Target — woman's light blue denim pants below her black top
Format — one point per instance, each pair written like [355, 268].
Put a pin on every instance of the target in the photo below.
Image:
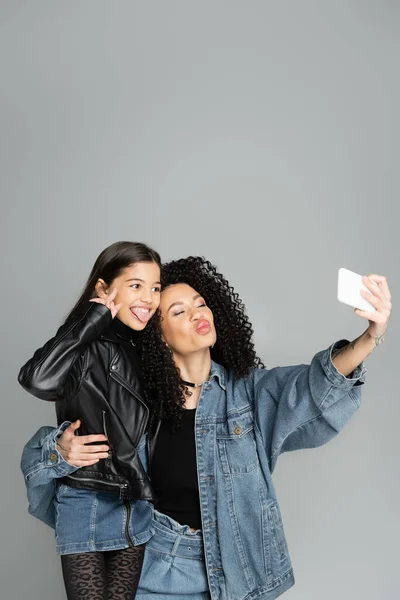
[174, 564]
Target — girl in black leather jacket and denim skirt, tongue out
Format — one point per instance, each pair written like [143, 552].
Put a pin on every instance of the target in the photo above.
[91, 369]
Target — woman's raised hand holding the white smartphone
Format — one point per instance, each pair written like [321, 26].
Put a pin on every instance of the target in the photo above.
[380, 297]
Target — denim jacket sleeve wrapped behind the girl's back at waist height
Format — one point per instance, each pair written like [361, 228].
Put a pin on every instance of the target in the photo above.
[41, 465]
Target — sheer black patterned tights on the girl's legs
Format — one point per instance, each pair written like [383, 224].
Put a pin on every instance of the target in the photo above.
[112, 575]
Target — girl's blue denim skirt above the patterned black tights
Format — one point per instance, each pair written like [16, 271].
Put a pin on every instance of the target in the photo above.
[91, 521]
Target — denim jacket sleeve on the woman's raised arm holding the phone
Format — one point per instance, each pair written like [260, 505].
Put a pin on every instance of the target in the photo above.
[304, 406]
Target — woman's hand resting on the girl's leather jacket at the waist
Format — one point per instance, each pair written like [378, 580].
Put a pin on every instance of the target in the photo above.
[74, 449]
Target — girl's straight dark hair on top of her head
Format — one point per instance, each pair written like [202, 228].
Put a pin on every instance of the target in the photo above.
[110, 264]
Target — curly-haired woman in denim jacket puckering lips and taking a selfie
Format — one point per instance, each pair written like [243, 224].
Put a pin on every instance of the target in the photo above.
[220, 422]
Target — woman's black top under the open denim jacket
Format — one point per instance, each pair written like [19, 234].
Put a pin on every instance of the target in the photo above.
[174, 472]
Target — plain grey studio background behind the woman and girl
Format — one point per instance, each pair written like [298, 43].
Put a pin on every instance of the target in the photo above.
[264, 135]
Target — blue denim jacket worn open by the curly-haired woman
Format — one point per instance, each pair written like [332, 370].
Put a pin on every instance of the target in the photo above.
[241, 428]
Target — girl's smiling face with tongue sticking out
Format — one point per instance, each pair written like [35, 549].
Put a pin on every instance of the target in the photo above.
[138, 290]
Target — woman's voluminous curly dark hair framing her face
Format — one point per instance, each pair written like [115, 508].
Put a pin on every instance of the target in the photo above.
[234, 348]
